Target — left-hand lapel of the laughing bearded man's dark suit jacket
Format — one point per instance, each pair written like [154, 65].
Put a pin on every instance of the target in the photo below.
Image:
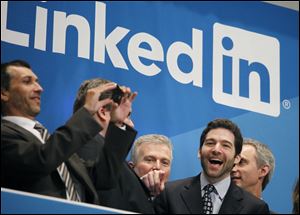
[191, 196]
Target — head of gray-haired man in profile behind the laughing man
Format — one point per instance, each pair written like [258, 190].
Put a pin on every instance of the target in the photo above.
[255, 168]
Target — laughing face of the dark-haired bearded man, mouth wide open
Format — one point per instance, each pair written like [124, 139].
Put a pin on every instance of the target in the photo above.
[217, 154]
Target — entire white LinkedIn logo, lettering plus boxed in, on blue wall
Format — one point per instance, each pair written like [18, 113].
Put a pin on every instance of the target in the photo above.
[246, 65]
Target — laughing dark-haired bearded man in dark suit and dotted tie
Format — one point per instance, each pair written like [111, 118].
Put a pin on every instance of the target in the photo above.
[212, 191]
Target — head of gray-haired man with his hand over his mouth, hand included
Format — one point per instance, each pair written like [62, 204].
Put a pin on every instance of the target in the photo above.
[151, 159]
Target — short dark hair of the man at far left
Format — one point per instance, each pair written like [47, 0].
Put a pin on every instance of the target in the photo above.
[6, 77]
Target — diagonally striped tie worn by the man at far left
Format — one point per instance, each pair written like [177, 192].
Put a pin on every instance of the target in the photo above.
[62, 169]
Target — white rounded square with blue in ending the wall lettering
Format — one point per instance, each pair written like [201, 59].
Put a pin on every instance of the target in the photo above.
[246, 70]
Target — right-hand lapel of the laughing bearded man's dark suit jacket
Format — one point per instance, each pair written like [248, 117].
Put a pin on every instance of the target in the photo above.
[232, 199]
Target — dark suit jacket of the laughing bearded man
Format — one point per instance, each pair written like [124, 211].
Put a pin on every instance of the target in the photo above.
[184, 197]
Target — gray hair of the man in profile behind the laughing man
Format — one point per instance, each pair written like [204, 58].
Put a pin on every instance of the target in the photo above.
[264, 157]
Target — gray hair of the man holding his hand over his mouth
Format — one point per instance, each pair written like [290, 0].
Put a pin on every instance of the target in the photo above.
[150, 138]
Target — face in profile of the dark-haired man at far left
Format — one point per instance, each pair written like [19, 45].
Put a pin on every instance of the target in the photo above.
[23, 98]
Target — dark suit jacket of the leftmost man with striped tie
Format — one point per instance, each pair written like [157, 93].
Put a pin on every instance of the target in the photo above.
[29, 165]
